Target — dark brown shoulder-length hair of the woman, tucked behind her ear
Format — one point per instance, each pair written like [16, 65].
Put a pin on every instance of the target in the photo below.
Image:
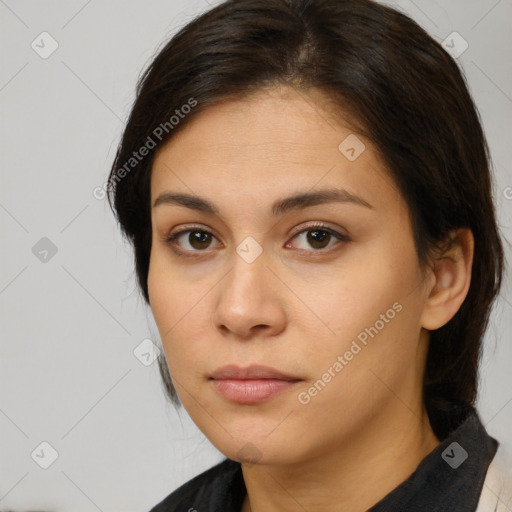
[404, 92]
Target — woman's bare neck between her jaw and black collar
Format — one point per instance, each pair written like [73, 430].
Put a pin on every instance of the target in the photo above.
[351, 478]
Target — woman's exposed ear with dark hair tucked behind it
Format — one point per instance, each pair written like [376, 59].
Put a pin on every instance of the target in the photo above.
[451, 279]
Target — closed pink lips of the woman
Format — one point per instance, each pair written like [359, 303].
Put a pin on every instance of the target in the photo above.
[251, 385]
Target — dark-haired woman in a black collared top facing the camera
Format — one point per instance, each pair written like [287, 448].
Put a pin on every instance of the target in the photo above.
[306, 186]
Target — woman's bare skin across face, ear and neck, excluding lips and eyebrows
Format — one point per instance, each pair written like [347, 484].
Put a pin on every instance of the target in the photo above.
[298, 305]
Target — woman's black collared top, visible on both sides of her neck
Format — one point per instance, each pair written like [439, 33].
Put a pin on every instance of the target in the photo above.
[448, 479]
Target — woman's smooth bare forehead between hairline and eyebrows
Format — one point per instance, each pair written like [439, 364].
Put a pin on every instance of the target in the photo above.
[266, 146]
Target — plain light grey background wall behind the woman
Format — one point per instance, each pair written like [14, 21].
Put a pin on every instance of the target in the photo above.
[70, 324]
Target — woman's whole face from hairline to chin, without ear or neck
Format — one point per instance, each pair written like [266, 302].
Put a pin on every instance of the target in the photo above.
[325, 292]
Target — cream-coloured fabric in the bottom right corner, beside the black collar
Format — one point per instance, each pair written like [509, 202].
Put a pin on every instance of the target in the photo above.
[496, 495]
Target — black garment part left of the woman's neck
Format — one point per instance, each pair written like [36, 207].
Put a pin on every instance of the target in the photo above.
[219, 488]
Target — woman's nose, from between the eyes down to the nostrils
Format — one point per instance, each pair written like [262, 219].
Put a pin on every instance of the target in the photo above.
[250, 300]
